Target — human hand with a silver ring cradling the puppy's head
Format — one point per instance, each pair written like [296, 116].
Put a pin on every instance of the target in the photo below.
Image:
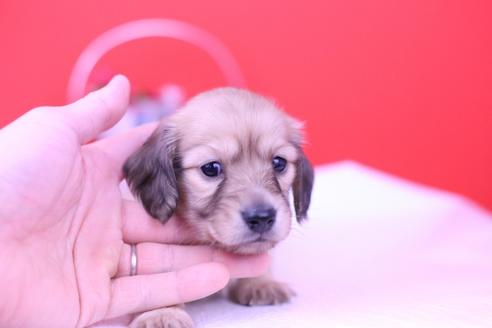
[65, 230]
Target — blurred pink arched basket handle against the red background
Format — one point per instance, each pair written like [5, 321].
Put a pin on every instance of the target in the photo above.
[146, 28]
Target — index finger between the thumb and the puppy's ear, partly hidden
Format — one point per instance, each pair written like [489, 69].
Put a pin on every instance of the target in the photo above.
[121, 146]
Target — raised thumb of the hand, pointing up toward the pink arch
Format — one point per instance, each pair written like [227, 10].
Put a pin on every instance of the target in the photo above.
[99, 110]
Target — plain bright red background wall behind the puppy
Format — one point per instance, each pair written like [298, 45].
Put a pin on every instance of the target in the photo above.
[404, 86]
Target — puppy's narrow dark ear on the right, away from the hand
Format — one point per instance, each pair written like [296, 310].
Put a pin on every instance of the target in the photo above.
[302, 187]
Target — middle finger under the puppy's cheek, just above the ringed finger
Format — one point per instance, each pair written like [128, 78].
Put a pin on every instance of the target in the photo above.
[138, 226]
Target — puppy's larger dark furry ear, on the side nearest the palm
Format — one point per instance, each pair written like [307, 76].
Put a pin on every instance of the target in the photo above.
[151, 173]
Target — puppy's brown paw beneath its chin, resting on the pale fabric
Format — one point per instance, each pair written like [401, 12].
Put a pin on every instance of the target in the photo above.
[260, 291]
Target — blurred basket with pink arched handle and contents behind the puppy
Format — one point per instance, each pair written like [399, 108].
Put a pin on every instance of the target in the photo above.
[147, 106]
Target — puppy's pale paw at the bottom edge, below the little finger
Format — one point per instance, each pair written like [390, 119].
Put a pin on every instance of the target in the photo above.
[169, 317]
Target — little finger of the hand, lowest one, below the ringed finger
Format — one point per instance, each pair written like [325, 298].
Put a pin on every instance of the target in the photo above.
[143, 293]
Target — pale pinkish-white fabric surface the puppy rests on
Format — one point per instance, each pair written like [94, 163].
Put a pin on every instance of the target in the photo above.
[377, 251]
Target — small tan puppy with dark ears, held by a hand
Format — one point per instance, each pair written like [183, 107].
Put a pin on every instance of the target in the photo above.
[224, 164]
